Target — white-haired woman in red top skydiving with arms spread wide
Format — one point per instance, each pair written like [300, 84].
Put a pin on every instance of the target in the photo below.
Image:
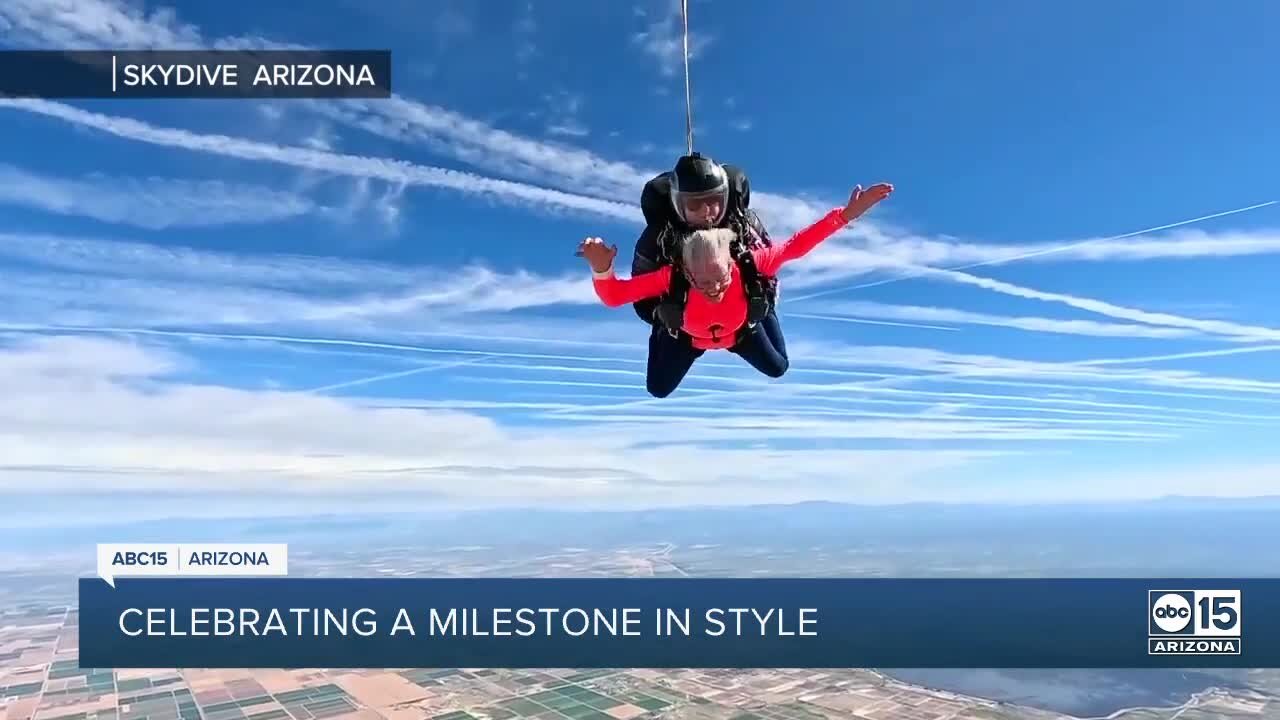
[716, 313]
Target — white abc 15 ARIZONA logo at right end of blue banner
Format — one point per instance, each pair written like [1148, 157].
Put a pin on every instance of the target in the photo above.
[1194, 623]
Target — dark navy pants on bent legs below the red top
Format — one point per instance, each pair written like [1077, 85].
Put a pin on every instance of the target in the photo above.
[671, 358]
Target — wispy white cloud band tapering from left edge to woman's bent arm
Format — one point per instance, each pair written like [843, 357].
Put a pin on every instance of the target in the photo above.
[89, 281]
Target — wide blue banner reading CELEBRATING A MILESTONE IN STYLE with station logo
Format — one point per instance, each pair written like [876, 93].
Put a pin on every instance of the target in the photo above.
[679, 623]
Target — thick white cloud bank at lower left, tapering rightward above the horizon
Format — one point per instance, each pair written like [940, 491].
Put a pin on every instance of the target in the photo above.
[85, 414]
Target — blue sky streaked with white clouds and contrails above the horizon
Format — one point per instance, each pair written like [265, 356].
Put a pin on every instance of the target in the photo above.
[341, 299]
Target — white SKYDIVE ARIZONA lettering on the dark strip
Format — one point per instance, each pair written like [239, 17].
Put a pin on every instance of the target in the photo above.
[227, 75]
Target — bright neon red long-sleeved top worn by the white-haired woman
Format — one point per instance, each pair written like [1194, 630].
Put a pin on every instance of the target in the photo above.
[730, 313]
